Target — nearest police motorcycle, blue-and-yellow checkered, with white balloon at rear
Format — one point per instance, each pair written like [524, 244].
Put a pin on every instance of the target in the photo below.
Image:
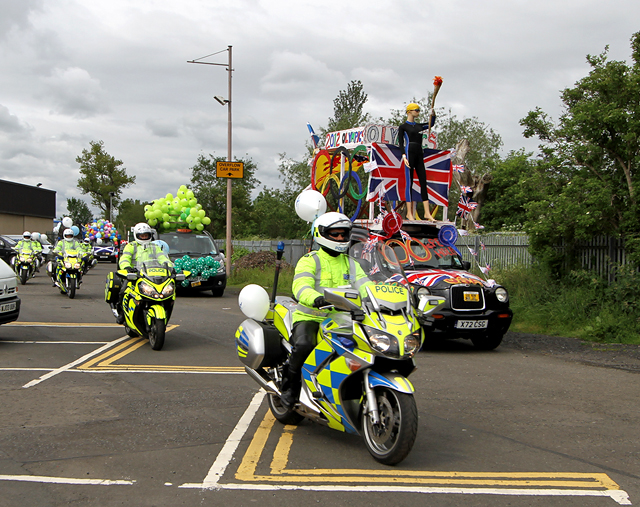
[355, 380]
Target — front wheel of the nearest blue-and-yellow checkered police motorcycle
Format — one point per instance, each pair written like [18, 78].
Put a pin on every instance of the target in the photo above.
[390, 441]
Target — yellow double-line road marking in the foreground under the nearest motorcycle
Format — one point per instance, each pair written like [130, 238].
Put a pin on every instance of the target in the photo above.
[279, 472]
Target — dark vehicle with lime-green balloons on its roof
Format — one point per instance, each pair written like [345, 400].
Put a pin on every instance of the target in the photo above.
[197, 245]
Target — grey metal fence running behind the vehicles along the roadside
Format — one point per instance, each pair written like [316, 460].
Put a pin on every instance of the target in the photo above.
[497, 249]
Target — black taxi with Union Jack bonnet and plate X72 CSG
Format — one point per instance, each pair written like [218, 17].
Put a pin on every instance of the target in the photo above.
[475, 309]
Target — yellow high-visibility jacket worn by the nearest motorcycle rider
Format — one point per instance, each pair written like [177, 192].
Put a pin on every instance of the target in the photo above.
[318, 270]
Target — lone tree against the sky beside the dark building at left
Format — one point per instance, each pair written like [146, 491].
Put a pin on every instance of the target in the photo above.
[101, 177]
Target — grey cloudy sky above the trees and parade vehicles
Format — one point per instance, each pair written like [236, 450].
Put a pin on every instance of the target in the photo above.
[73, 71]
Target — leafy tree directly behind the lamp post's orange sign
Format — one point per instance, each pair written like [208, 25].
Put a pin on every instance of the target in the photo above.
[211, 193]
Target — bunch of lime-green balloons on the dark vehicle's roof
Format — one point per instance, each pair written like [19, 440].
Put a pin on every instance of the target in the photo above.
[180, 212]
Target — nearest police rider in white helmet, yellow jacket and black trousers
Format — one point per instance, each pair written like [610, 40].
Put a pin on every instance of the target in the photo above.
[328, 267]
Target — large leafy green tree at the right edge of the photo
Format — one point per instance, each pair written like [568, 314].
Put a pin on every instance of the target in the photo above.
[594, 152]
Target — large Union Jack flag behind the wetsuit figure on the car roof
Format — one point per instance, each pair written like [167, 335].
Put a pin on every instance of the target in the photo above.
[389, 175]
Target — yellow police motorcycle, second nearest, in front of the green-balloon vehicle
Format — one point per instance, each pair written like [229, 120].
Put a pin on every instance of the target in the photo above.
[148, 299]
